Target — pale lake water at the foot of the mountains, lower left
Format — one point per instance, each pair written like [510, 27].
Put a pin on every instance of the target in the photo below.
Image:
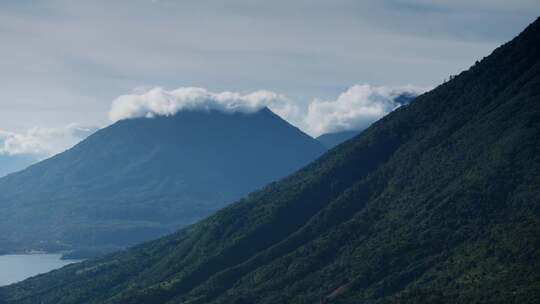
[17, 267]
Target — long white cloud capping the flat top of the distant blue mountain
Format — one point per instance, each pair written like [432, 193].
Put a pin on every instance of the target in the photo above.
[158, 101]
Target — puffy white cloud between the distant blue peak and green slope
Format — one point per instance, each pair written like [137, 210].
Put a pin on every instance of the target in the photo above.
[355, 109]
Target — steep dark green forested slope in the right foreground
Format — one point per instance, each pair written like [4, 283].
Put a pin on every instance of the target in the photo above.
[438, 202]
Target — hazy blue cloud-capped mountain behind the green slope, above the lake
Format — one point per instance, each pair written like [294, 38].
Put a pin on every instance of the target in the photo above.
[141, 178]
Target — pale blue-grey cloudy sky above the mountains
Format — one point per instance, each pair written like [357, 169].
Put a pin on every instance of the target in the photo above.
[68, 67]
